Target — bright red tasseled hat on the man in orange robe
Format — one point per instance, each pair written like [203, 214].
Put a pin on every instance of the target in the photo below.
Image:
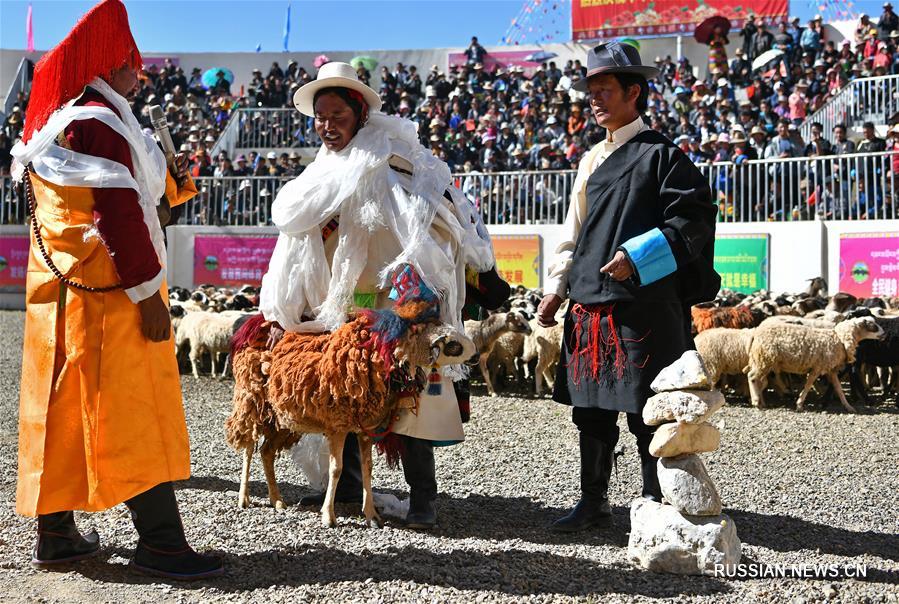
[100, 43]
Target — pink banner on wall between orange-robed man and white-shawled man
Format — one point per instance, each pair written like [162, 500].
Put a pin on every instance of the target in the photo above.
[231, 259]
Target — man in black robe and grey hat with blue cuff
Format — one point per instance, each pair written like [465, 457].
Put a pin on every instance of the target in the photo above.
[637, 254]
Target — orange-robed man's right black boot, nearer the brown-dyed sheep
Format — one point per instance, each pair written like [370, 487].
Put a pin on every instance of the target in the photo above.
[162, 549]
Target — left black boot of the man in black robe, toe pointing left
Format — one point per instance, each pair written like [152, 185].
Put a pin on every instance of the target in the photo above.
[596, 469]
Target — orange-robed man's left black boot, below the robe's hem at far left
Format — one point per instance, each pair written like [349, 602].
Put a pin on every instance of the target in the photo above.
[59, 542]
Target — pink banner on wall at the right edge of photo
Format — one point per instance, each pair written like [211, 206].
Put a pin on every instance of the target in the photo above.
[869, 264]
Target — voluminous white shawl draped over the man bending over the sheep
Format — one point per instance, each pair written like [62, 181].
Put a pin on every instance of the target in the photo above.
[358, 184]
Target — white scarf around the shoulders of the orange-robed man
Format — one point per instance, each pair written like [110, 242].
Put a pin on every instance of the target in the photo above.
[68, 168]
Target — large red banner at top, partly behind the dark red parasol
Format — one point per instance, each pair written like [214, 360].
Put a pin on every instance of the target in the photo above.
[595, 19]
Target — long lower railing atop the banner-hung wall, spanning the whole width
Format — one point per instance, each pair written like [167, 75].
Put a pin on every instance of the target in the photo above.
[835, 187]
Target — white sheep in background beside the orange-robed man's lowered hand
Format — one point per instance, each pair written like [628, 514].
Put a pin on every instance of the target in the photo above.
[207, 332]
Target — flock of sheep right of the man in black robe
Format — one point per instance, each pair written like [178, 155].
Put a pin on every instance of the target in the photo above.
[745, 340]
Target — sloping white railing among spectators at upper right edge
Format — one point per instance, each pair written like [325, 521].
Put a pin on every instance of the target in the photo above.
[872, 99]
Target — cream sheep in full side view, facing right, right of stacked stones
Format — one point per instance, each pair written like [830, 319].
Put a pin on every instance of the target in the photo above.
[793, 348]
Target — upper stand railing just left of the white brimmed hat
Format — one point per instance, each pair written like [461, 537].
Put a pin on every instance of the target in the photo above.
[264, 128]
